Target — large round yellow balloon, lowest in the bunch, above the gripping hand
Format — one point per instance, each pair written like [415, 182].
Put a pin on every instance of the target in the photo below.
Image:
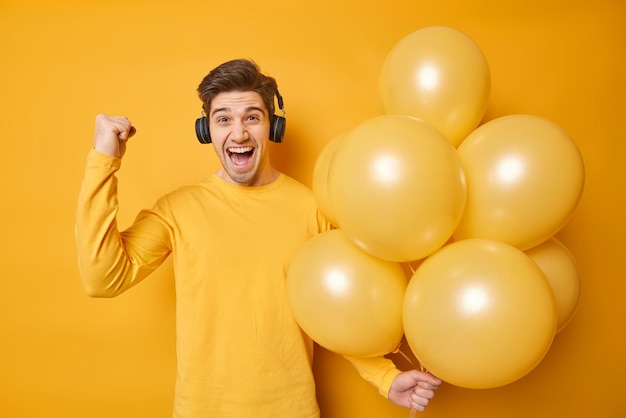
[479, 314]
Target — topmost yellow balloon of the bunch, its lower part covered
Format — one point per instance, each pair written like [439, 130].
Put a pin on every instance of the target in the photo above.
[440, 75]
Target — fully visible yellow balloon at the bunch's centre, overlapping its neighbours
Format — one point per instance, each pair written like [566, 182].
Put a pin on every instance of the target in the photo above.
[397, 187]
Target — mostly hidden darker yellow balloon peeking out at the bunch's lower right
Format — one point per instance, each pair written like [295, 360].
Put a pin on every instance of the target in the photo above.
[561, 269]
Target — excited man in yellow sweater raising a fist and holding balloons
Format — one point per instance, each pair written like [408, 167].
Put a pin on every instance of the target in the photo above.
[231, 236]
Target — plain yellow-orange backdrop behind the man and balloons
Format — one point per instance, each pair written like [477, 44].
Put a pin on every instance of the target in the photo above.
[65, 355]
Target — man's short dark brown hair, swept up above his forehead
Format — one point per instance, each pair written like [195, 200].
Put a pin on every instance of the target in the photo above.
[237, 75]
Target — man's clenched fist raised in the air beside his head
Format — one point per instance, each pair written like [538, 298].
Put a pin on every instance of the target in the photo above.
[111, 135]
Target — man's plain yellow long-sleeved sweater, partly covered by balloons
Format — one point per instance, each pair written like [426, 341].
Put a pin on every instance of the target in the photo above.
[239, 350]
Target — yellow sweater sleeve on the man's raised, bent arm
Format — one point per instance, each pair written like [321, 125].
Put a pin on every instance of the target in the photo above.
[111, 262]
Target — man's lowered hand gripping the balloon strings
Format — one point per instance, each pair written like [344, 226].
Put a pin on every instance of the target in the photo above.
[413, 389]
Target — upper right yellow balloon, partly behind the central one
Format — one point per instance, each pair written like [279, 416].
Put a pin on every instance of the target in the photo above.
[525, 177]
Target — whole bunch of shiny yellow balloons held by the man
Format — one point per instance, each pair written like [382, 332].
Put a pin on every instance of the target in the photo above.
[477, 205]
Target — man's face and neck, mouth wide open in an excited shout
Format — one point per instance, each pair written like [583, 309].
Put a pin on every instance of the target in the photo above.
[239, 125]
